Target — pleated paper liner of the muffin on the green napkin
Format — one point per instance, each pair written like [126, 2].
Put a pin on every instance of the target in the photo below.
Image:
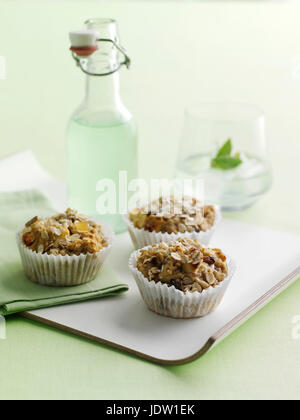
[63, 271]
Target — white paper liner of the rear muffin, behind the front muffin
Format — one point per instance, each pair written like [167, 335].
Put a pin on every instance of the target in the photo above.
[142, 238]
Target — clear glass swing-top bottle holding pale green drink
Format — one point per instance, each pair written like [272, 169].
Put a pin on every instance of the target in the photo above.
[101, 134]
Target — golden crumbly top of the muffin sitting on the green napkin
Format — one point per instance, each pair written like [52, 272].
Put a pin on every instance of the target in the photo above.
[67, 233]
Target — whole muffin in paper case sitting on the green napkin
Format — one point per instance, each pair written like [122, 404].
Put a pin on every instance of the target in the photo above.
[67, 249]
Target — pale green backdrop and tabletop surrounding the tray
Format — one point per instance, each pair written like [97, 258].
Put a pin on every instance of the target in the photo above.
[219, 51]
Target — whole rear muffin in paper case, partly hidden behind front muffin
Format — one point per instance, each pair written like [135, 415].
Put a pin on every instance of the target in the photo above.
[166, 220]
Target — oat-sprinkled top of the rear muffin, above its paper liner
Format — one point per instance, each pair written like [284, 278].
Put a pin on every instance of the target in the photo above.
[174, 216]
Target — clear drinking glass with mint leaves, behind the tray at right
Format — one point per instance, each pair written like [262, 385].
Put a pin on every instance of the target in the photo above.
[207, 127]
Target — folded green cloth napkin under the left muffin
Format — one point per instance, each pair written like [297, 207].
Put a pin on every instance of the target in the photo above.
[17, 293]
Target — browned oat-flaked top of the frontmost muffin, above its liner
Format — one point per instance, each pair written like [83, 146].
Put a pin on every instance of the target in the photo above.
[184, 264]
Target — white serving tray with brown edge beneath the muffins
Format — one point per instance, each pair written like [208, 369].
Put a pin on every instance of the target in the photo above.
[268, 261]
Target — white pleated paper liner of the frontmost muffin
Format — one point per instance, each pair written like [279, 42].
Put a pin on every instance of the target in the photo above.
[171, 302]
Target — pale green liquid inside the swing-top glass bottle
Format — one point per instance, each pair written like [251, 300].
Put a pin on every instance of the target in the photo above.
[96, 152]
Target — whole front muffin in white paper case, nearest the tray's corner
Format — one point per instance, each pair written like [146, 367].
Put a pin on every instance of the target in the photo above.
[181, 279]
